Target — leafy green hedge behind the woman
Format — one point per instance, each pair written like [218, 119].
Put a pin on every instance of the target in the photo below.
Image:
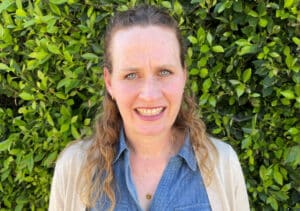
[243, 58]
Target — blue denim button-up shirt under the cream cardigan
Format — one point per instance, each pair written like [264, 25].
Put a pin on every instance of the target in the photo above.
[180, 188]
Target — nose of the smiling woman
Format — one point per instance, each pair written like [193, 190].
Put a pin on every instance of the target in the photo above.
[150, 90]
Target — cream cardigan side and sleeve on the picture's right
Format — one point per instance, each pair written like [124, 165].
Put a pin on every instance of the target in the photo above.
[227, 191]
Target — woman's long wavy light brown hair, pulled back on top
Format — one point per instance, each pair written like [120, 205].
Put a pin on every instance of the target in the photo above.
[97, 176]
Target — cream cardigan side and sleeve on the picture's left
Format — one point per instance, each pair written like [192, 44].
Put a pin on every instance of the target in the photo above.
[64, 195]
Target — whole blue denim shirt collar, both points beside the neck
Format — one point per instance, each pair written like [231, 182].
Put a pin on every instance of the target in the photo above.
[186, 151]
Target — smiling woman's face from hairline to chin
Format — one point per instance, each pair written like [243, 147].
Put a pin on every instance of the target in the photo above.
[147, 79]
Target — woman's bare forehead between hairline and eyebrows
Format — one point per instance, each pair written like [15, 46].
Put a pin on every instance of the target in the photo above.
[139, 42]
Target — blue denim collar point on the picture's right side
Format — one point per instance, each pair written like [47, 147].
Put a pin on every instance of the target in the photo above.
[187, 153]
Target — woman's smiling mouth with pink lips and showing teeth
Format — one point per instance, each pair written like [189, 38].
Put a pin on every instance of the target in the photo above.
[150, 113]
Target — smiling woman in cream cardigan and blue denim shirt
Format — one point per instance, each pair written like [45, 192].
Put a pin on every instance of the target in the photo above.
[149, 150]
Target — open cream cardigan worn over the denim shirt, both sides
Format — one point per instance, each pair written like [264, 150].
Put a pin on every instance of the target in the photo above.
[227, 190]
